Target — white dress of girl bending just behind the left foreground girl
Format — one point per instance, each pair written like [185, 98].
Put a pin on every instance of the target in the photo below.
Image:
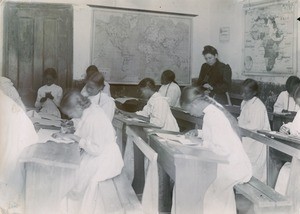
[106, 102]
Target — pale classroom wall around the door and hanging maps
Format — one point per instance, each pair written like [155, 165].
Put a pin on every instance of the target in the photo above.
[211, 15]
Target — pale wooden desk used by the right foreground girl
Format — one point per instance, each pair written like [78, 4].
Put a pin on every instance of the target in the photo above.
[193, 170]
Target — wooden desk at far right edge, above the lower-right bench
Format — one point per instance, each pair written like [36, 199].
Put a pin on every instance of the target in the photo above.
[287, 147]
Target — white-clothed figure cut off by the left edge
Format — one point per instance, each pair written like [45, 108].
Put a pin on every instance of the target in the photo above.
[16, 133]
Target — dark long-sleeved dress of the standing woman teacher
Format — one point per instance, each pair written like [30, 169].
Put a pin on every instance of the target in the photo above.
[219, 77]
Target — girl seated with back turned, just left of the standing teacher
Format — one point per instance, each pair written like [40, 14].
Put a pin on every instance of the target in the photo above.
[170, 88]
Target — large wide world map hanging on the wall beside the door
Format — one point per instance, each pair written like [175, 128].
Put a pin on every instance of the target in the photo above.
[131, 45]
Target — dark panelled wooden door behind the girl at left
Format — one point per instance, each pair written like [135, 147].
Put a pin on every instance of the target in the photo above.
[36, 37]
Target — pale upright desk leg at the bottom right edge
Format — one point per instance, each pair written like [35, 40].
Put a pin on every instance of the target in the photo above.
[293, 190]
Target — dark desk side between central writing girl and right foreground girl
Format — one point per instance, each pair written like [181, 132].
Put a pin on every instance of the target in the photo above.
[185, 120]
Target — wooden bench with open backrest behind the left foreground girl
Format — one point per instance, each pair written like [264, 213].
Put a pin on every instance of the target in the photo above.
[117, 195]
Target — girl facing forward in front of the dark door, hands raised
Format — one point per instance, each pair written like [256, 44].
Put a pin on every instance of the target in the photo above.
[49, 96]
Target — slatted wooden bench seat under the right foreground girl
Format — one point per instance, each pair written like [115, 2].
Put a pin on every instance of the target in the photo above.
[265, 199]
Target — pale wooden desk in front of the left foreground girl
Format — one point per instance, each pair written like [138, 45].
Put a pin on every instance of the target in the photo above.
[50, 174]
